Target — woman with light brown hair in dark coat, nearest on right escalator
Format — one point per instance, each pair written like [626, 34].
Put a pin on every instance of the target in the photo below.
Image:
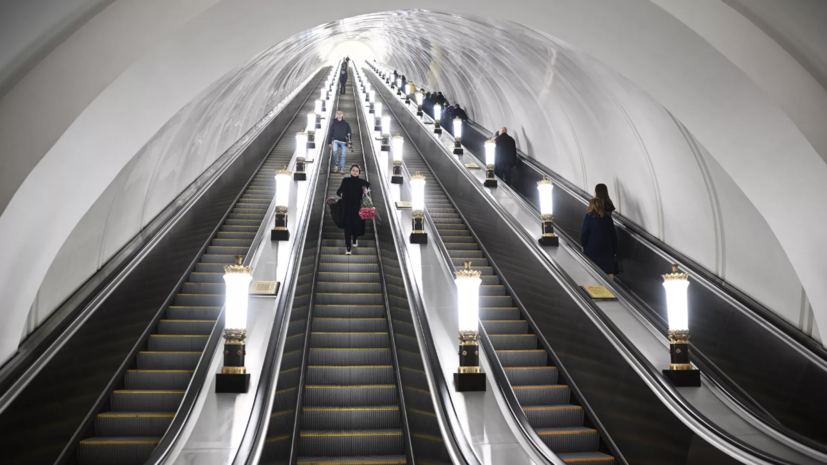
[598, 237]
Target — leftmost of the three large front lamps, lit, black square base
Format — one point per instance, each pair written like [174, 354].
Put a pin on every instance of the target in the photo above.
[234, 377]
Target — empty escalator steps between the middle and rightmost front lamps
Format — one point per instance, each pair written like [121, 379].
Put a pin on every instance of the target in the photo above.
[548, 404]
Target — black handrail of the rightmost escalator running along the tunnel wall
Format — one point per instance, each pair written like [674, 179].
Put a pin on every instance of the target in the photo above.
[810, 348]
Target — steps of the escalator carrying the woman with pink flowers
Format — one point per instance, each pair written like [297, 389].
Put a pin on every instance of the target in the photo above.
[342, 384]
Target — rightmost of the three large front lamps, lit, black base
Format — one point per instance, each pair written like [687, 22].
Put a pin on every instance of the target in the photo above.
[680, 371]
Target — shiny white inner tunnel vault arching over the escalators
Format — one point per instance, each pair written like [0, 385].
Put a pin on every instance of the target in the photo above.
[566, 108]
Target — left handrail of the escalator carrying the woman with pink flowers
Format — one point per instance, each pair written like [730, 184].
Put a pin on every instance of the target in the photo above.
[252, 441]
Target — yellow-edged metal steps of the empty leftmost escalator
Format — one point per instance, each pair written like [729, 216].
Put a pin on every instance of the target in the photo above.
[139, 414]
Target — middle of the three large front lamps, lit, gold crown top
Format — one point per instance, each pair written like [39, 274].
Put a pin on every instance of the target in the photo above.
[468, 376]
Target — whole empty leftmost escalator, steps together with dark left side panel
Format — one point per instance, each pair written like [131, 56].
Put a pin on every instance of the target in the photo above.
[142, 398]
